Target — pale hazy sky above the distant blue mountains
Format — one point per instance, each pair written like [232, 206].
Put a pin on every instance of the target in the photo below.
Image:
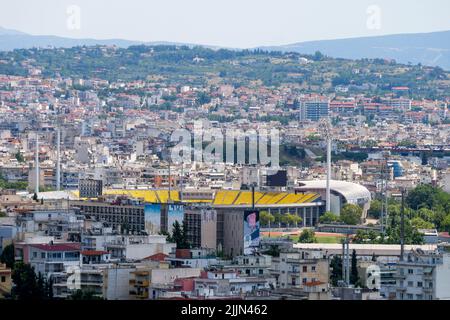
[230, 23]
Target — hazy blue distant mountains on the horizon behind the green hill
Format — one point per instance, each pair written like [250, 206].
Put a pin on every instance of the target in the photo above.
[426, 48]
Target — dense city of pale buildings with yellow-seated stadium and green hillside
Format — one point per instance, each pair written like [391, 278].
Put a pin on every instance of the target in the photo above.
[353, 204]
